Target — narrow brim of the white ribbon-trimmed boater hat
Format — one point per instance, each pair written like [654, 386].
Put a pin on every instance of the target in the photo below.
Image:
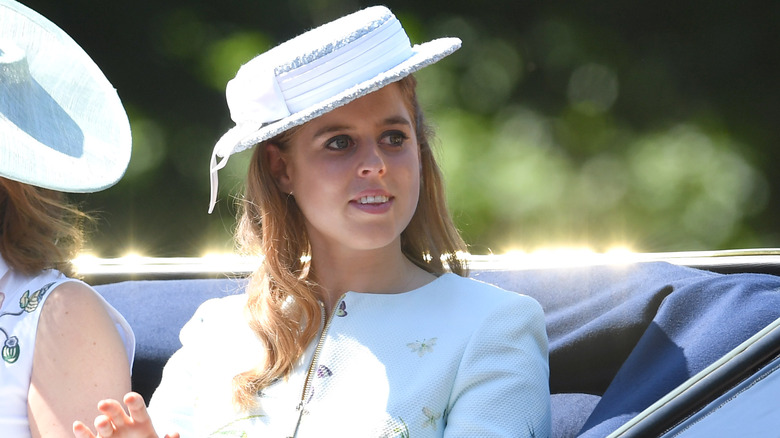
[422, 55]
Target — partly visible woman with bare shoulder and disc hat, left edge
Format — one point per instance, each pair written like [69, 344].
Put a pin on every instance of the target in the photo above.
[62, 129]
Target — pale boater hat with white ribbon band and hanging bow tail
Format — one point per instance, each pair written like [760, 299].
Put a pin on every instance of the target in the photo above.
[315, 72]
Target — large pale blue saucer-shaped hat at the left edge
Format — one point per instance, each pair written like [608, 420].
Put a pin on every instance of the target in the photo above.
[62, 125]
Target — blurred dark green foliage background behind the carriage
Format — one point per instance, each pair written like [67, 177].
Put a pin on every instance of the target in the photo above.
[650, 125]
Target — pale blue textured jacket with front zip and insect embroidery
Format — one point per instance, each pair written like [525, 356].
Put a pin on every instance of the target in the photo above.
[455, 358]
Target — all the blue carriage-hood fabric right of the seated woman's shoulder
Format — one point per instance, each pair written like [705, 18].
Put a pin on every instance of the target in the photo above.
[632, 333]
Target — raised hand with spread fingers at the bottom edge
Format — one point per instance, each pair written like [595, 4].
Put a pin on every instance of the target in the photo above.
[114, 422]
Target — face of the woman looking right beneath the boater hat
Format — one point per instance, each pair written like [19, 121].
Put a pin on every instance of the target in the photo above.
[354, 172]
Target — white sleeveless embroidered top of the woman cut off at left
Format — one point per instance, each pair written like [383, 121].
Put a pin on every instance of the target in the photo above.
[21, 302]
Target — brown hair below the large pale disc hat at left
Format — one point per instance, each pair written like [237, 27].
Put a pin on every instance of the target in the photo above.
[39, 228]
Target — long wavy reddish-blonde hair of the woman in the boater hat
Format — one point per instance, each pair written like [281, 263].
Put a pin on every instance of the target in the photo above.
[282, 296]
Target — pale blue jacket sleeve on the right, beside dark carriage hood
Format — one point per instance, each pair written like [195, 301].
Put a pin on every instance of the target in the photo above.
[502, 385]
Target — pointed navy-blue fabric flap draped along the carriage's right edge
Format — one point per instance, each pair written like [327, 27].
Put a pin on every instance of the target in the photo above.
[696, 324]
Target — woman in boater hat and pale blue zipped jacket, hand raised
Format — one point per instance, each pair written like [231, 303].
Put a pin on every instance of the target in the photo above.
[358, 321]
